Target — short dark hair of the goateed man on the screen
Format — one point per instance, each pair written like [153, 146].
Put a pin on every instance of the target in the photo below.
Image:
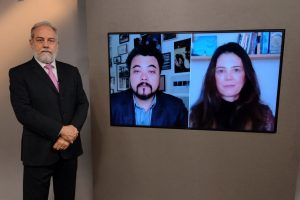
[145, 50]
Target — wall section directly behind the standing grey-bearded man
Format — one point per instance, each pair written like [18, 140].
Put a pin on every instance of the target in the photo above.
[16, 19]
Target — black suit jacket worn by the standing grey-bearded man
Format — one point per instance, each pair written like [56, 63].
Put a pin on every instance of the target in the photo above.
[43, 111]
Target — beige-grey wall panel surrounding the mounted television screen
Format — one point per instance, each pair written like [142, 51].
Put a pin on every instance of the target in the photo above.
[147, 164]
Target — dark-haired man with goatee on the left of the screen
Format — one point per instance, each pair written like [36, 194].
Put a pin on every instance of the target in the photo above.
[143, 104]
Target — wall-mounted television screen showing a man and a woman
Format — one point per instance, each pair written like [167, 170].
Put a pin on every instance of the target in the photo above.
[206, 80]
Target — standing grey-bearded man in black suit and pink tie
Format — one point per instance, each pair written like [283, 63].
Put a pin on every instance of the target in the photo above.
[49, 101]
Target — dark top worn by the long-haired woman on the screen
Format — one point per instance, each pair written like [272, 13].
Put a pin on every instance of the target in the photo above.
[233, 116]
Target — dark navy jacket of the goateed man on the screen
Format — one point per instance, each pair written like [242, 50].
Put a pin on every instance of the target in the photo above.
[168, 112]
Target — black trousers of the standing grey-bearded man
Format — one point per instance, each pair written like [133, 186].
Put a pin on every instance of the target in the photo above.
[36, 180]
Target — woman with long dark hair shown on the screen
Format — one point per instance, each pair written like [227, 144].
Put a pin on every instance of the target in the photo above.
[230, 97]
